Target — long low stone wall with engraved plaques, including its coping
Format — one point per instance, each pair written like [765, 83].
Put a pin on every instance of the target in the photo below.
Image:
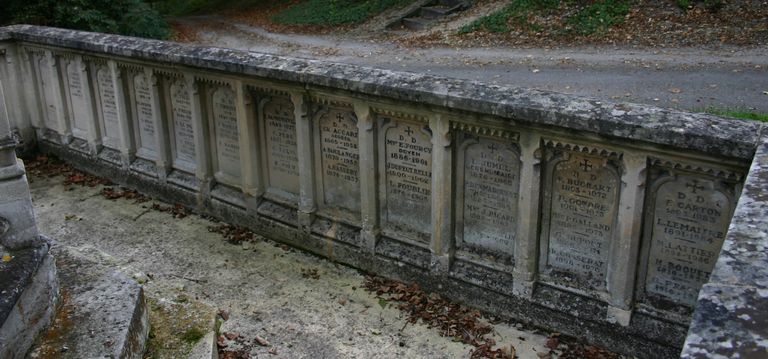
[599, 220]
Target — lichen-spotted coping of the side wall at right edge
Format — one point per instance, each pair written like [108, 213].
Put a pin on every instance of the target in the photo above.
[731, 319]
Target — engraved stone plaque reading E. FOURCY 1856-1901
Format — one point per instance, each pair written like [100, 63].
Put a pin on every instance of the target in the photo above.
[408, 173]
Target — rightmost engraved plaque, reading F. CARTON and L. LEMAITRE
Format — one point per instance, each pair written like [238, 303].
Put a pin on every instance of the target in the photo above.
[690, 220]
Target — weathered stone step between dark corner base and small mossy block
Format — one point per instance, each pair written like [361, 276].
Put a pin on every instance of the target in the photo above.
[102, 313]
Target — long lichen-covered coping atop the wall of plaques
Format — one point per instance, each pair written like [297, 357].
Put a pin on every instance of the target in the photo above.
[697, 132]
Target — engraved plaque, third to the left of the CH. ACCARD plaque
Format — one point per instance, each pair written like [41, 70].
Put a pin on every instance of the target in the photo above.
[183, 128]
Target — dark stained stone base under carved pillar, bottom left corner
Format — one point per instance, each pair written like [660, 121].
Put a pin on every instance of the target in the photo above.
[29, 294]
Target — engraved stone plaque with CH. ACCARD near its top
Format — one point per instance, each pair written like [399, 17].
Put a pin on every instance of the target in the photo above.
[340, 156]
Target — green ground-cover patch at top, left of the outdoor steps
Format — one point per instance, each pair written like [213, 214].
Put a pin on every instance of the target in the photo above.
[334, 12]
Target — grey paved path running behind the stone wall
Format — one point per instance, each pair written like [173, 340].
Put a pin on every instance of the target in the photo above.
[688, 79]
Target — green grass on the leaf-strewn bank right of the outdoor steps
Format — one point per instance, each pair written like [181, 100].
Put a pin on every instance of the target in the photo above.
[588, 20]
